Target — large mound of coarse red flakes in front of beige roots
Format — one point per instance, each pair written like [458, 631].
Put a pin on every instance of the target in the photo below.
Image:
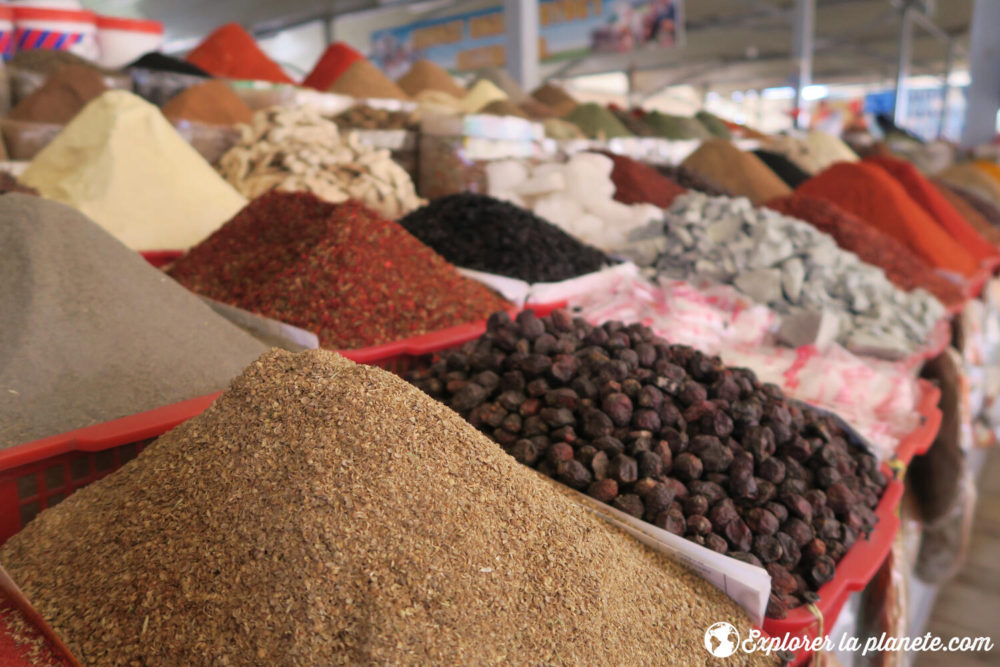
[338, 270]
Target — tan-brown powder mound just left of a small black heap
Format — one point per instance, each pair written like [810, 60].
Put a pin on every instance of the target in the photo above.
[742, 173]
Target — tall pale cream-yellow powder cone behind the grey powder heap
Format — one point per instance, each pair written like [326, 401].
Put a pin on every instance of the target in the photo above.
[123, 165]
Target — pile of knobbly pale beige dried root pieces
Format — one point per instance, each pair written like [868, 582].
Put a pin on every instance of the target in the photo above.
[299, 150]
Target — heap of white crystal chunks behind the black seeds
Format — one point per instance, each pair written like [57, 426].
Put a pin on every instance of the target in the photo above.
[578, 196]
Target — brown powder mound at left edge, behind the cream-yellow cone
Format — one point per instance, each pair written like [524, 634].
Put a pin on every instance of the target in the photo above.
[61, 97]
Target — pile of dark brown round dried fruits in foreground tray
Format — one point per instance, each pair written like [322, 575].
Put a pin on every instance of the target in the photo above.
[672, 436]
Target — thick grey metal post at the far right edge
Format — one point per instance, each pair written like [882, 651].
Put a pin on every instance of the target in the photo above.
[984, 69]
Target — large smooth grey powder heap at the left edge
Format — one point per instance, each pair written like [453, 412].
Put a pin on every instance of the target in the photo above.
[91, 332]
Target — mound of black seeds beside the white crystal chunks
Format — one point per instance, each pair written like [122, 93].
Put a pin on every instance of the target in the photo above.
[482, 233]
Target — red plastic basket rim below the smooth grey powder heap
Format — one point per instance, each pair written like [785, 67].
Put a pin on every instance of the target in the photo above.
[99, 437]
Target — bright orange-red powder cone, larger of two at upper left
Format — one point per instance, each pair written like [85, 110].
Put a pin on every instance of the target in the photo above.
[231, 52]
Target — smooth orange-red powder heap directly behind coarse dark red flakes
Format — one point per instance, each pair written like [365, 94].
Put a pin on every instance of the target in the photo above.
[877, 198]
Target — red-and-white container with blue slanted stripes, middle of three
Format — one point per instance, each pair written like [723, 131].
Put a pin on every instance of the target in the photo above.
[56, 29]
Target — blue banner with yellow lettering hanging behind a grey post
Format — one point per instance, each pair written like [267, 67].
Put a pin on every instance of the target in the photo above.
[568, 29]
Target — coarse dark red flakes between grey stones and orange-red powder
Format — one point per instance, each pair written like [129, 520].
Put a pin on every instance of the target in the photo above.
[902, 266]
